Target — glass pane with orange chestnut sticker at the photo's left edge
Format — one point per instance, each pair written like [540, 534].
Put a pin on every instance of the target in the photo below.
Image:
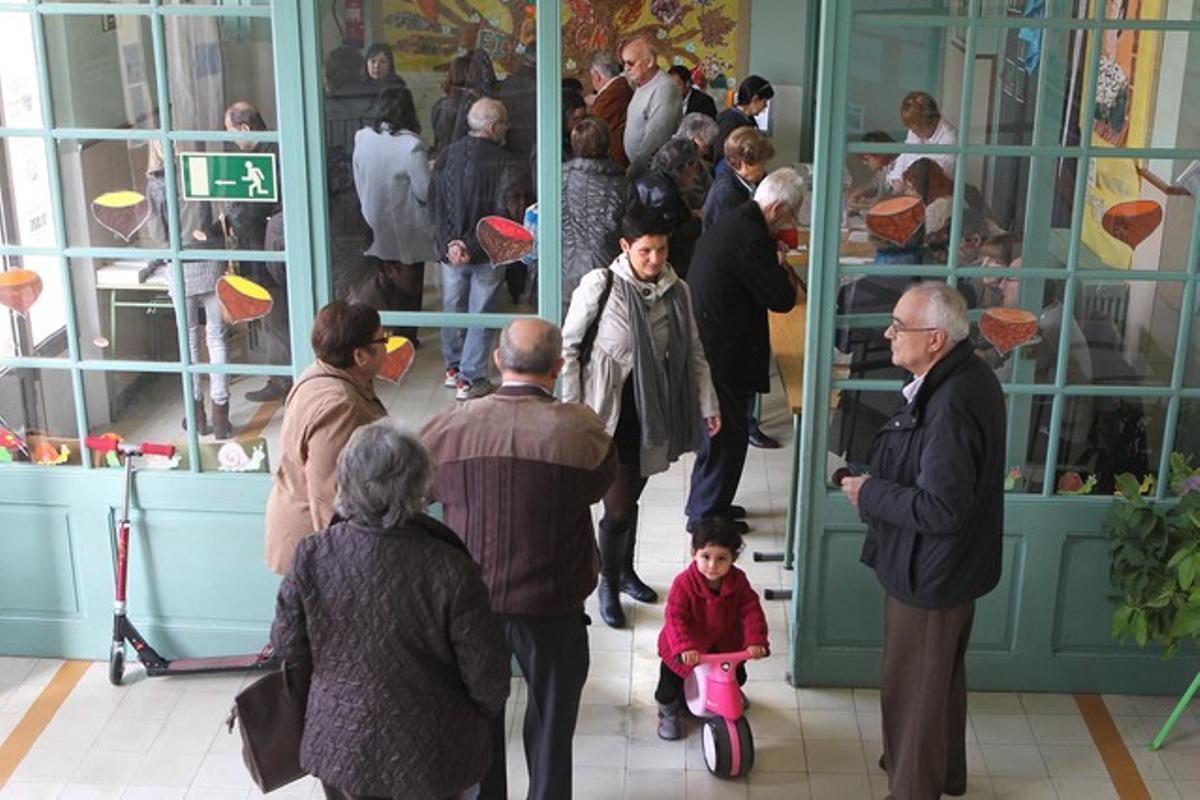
[34, 316]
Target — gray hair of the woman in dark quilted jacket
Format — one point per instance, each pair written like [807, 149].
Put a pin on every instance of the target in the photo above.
[385, 476]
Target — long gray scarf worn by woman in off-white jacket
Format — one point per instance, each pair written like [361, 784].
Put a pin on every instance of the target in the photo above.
[664, 389]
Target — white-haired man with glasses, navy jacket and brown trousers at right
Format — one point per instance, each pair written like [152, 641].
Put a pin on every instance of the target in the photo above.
[934, 507]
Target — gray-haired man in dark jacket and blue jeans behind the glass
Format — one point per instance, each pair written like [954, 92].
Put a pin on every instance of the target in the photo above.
[472, 179]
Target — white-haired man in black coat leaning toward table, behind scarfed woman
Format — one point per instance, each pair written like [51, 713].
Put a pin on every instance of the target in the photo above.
[737, 275]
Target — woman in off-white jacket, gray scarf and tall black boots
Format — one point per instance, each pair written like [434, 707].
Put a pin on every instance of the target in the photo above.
[646, 376]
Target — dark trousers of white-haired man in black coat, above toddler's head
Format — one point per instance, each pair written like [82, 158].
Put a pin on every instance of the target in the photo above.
[718, 470]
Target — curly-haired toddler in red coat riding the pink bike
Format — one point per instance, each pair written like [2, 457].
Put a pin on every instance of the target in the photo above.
[712, 609]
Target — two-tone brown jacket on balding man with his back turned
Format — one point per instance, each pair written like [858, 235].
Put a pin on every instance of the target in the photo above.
[517, 473]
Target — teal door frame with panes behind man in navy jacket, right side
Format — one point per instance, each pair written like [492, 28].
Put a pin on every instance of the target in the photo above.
[1047, 627]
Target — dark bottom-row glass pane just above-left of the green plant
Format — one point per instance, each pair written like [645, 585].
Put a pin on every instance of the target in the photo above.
[1103, 437]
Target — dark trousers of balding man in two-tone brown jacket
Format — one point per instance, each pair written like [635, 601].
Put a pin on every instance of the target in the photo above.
[554, 658]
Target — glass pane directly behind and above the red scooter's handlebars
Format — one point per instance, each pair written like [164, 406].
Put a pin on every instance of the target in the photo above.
[139, 407]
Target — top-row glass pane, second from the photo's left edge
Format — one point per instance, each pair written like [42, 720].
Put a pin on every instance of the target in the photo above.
[103, 71]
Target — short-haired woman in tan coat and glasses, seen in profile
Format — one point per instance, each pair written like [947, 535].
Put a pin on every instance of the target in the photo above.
[333, 399]
